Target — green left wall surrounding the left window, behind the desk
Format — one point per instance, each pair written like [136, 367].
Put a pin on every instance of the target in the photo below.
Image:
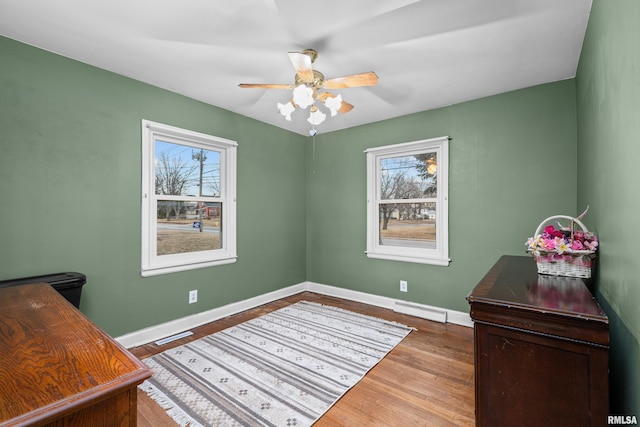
[70, 185]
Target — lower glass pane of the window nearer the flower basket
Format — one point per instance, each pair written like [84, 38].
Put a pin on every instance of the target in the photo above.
[408, 224]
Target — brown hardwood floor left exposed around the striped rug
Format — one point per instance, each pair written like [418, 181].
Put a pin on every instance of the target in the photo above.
[427, 380]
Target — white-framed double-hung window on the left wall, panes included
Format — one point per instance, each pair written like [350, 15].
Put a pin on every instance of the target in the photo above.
[188, 199]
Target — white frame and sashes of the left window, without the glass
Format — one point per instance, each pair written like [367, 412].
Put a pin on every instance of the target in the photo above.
[152, 264]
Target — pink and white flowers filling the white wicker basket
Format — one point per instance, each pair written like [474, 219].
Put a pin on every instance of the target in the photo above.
[562, 241]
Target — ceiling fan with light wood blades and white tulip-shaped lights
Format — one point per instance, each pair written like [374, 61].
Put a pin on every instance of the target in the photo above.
[310, 86]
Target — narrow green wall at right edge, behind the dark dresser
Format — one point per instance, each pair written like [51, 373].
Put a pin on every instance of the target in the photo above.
[608, 105]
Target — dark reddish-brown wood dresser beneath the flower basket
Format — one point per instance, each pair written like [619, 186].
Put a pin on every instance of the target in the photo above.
[541, 349]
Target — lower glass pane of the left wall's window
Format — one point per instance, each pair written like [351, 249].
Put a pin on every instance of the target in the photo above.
[188, 227]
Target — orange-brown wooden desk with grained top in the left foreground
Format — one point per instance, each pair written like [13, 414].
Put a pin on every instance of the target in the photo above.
[59, 369]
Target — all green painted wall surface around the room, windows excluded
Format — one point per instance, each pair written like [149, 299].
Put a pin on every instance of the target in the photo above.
[70, 186]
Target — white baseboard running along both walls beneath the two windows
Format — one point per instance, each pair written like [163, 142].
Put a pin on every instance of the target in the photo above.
[156, 332]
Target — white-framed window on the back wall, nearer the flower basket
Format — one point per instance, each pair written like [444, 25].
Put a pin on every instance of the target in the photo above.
[407, 202]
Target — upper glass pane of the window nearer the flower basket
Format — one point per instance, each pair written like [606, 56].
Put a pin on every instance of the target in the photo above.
[408, 177]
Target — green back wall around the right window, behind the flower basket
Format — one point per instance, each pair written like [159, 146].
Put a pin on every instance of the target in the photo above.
[512, 164]
